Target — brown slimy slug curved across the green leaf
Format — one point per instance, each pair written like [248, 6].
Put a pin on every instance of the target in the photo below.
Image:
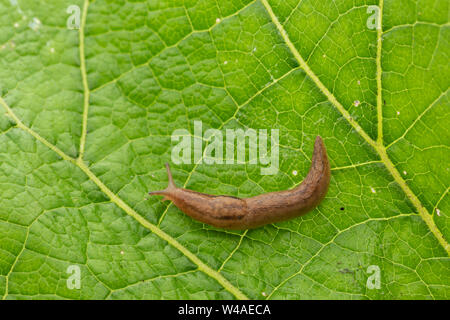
[245, 213]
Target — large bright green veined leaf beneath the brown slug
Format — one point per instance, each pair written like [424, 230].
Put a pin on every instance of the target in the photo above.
[85, 128]
